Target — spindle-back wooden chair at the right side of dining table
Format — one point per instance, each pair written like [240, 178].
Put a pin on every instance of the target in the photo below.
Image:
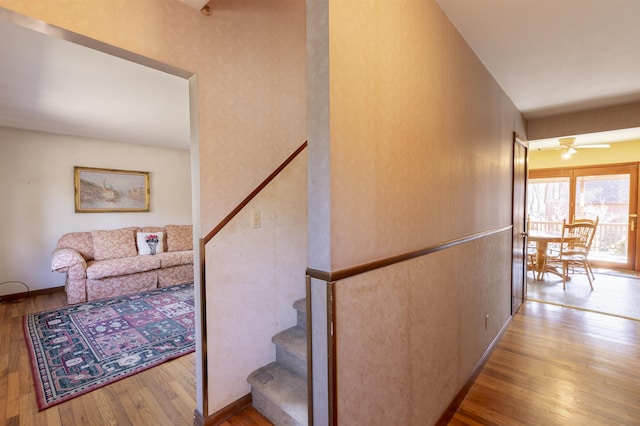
[574, 248]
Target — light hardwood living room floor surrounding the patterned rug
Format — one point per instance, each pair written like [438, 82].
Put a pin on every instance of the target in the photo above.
[164, 395]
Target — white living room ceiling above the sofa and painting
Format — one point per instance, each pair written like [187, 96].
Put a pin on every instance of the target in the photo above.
[52, 85]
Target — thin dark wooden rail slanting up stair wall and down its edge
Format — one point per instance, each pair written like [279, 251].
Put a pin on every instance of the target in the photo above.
[203, 242]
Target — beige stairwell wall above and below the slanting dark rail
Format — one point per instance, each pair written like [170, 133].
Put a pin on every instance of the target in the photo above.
[252, 116]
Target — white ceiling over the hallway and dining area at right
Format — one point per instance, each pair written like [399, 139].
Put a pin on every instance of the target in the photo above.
[557, 56]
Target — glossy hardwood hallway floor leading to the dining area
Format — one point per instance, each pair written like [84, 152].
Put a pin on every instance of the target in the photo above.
[559, 366]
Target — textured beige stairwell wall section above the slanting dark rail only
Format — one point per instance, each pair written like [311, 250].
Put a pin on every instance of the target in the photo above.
[252, 98]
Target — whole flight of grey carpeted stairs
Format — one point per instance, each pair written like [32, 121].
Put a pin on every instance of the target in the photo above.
[279, 389]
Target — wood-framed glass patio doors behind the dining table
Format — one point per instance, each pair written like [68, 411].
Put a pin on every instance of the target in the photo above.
[608, 192]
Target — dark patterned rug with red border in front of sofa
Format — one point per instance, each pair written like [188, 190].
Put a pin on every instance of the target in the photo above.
[82, 347]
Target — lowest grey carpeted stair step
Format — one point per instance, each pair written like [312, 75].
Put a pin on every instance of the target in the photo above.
[280, 395]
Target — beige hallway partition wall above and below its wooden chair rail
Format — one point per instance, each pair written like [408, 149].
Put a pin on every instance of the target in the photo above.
[415, 149]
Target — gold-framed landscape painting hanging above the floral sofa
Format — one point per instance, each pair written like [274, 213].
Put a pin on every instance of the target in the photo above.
[106, 190]
